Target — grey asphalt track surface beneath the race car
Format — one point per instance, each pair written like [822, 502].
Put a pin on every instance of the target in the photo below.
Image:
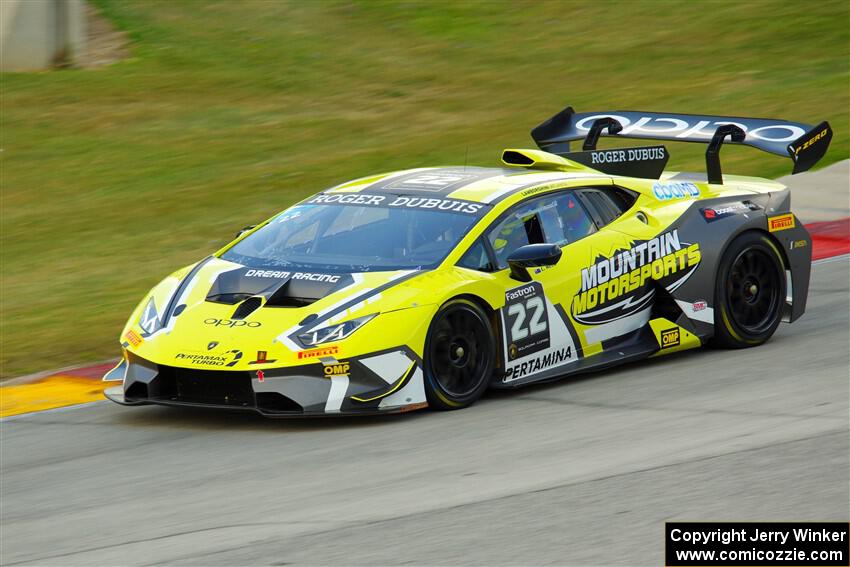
[582, 471]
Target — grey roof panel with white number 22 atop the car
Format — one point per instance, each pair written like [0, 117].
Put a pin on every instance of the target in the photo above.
[435, 182]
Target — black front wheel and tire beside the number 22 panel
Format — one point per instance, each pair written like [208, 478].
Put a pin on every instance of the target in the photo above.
[460, 350]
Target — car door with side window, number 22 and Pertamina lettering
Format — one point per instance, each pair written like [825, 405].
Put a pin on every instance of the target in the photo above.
[561, 315]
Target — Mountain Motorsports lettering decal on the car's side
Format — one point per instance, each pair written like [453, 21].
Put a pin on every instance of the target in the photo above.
[614, 287]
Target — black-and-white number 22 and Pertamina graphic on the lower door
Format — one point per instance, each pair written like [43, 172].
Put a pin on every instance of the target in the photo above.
[536, 338]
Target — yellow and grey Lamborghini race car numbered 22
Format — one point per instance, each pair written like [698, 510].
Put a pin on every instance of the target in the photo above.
[425, 287]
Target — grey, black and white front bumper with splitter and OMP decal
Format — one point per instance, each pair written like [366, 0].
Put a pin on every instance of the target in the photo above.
[385, 382]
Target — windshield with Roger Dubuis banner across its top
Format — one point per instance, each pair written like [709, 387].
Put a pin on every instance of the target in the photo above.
[363, 233]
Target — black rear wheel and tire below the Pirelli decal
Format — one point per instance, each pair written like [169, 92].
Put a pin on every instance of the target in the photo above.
[749, 292]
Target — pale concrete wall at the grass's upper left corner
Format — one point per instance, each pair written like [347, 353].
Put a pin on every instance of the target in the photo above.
[39, 34]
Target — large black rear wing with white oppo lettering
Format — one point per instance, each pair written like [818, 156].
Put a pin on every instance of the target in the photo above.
[804, 144]
